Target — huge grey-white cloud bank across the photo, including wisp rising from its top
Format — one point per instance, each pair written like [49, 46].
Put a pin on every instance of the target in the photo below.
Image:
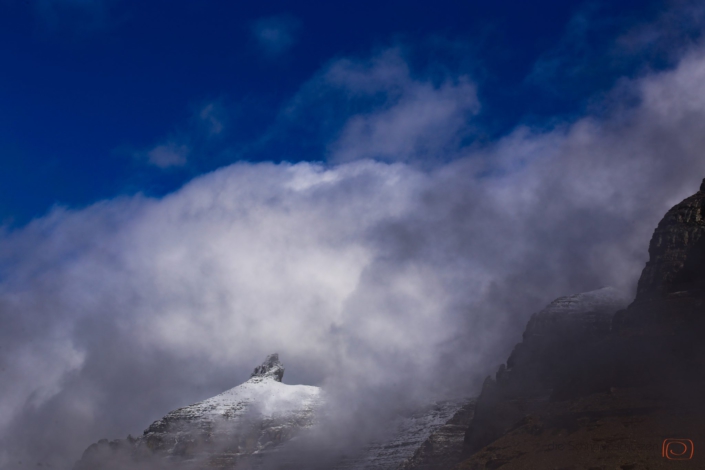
[384, 281]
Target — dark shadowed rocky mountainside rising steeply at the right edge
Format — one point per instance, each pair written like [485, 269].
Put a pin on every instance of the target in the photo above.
[613, 395]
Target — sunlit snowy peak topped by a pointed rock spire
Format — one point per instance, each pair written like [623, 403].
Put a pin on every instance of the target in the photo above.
[247, 421]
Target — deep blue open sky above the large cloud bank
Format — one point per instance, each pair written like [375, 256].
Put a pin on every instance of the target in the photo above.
[90, 85]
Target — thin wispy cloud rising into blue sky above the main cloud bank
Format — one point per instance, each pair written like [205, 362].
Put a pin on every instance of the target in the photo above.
[401, 117]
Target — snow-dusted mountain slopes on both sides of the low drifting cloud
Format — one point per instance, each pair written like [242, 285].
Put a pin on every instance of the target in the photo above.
[246, 427]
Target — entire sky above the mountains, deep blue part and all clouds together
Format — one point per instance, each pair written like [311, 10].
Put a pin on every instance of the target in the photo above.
[380, 192]
